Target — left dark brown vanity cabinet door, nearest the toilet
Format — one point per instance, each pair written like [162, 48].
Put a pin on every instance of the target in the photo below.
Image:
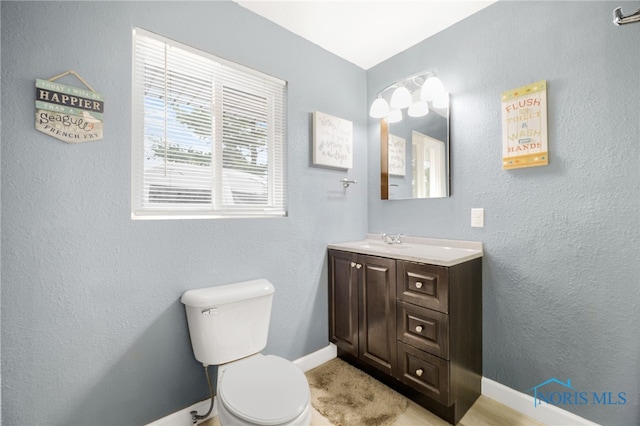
[343, 301]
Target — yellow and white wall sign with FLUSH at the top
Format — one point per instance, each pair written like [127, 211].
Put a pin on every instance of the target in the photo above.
[524, 126]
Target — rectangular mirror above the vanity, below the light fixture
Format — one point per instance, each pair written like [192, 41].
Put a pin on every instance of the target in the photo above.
[415, 154]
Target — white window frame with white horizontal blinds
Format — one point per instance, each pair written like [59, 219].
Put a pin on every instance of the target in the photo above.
[225, 76]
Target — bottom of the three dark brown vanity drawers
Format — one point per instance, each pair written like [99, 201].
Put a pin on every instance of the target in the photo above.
[424, 372]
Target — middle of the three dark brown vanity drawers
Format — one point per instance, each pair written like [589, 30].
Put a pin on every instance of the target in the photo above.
[423, 328]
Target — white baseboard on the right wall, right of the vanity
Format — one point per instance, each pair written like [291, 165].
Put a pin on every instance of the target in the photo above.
[547, 414]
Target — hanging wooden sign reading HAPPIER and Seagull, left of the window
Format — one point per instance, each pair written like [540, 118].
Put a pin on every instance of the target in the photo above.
[71, 114]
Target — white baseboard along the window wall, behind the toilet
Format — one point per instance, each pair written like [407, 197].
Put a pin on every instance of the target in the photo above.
[183, 417]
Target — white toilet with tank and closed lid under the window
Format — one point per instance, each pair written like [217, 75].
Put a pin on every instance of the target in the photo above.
[228, 326]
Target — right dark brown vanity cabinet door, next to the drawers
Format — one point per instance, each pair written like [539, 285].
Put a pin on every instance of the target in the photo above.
[378, 313]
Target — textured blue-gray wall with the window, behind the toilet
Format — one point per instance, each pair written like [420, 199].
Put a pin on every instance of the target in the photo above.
[93, 330]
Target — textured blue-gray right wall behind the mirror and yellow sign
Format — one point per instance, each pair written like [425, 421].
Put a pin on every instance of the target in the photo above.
[561, 267]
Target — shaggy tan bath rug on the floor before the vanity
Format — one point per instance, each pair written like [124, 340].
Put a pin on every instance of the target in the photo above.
[349, 397]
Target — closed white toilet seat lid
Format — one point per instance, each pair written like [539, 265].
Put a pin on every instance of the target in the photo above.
[266, 390]
